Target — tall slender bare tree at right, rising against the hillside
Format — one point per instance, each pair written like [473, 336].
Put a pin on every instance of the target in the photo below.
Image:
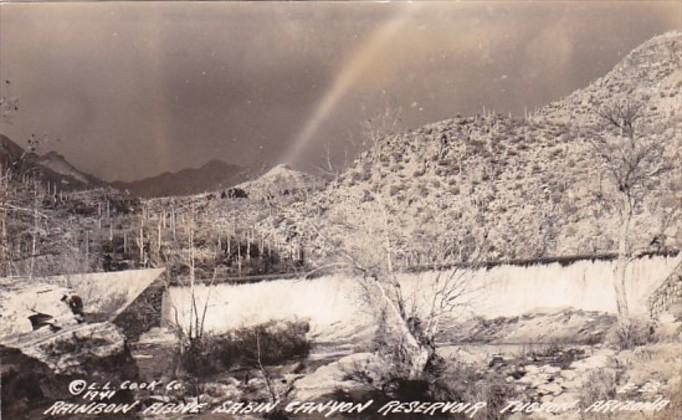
[633, 161]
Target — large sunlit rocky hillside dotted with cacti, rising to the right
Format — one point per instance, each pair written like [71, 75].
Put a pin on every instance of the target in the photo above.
[530, 186]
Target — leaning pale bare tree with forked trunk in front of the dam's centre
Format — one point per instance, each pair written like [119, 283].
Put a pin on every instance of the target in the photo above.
[366, 237]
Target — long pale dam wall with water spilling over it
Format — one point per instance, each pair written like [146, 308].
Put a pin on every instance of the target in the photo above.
[334, 303]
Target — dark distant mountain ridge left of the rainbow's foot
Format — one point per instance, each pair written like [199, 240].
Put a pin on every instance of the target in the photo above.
[212, 176]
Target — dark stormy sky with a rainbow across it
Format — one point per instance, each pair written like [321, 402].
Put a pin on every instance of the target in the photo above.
[132, 89]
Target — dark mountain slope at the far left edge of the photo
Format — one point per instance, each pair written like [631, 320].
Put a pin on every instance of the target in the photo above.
[51, 167]
